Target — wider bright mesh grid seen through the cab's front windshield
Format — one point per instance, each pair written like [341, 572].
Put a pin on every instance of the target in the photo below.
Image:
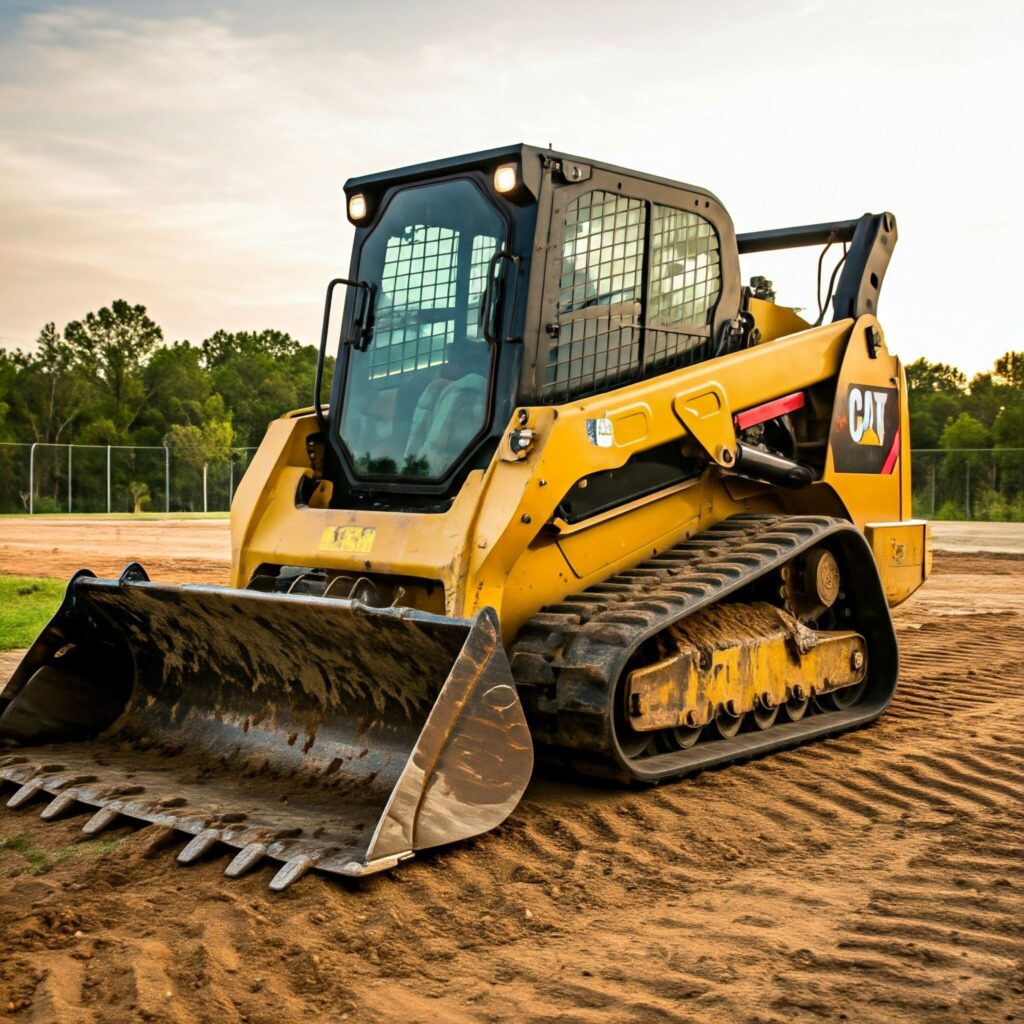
[420, 272]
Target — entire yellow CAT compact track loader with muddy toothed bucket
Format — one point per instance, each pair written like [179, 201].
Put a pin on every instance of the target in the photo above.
[577, 491]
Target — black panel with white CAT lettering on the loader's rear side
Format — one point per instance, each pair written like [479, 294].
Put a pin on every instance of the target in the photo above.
[866, 431]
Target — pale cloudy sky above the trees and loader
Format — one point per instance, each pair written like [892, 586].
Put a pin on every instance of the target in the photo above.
[190, 156]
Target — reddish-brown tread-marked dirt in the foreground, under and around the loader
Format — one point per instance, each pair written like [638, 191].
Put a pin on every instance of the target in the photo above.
[875, 877]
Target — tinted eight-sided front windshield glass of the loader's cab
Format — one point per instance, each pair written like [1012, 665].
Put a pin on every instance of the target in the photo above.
[418, 396]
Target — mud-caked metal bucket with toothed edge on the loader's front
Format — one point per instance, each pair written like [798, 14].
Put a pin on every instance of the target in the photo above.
[314, 732]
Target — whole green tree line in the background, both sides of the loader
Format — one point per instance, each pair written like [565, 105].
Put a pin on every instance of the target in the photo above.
[111, 379]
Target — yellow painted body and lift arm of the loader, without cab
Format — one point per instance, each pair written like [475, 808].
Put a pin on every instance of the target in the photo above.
[501, 543]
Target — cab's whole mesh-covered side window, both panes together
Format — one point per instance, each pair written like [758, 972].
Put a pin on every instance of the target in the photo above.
[606, 336]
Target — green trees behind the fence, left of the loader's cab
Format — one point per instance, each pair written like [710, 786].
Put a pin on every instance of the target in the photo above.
[111, 379]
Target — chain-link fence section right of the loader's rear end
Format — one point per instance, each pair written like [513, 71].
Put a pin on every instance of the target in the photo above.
[969, 484]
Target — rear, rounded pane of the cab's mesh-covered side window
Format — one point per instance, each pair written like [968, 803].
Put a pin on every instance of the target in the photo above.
[686, 281]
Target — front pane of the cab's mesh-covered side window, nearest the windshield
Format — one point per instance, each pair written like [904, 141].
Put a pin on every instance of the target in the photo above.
[600, 295]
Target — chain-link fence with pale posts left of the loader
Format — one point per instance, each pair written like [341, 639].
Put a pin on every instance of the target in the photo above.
[38, 479]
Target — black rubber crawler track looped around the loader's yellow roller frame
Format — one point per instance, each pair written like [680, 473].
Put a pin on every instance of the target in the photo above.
[571, 657]
